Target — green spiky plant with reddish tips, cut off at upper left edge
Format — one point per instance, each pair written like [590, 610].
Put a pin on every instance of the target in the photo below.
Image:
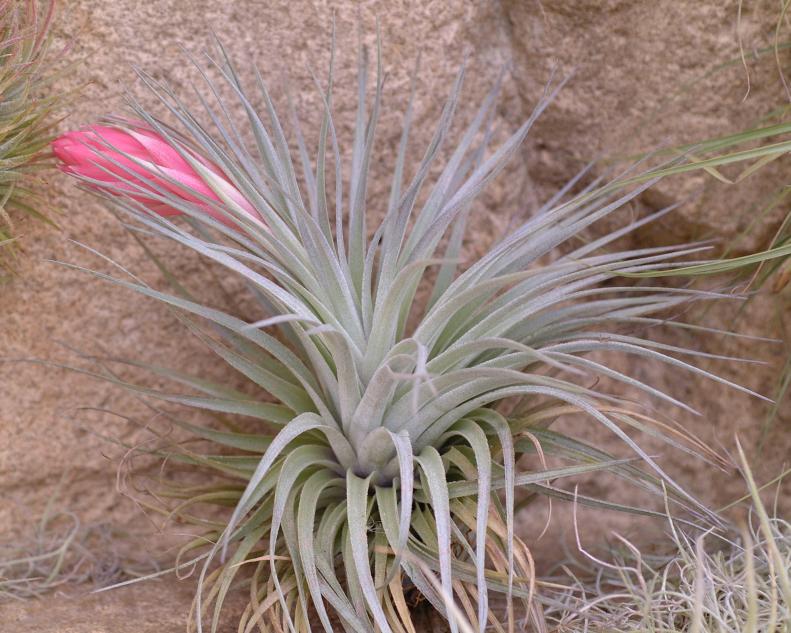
[25, 126]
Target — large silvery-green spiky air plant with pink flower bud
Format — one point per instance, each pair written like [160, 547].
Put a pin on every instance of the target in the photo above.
[385, 462]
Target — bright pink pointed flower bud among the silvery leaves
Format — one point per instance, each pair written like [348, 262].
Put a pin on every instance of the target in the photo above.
[139, 163]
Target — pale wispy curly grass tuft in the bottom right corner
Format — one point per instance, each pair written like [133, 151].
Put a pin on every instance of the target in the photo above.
[733, 580]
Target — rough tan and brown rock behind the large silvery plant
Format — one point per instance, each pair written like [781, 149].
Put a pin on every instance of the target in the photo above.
[641, 80]
